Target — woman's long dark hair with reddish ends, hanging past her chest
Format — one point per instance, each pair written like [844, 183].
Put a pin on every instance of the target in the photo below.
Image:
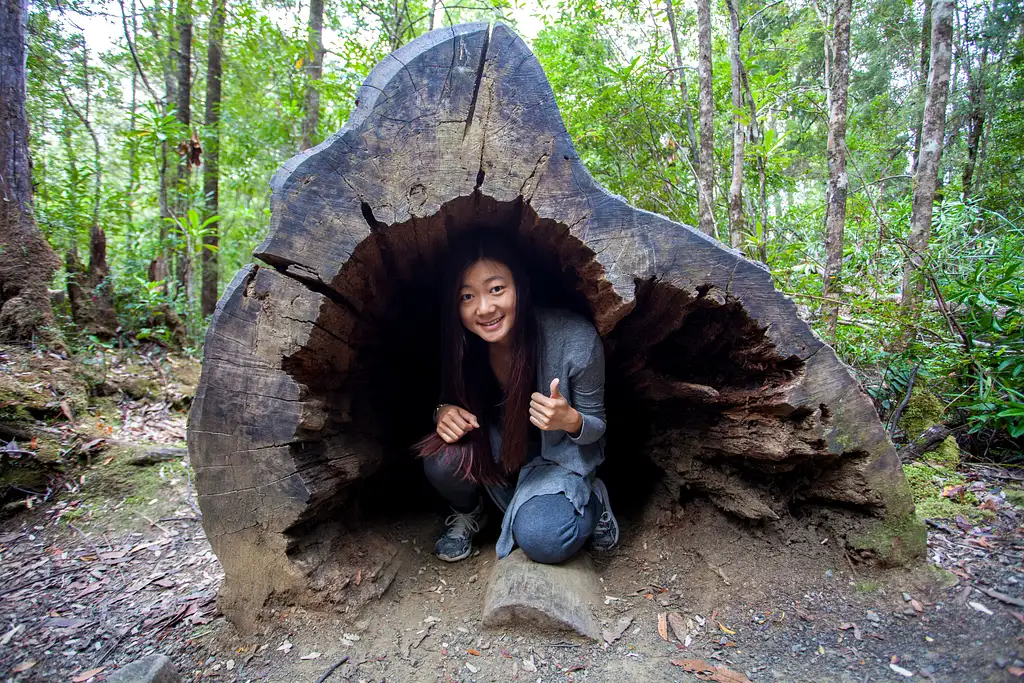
[467, 380]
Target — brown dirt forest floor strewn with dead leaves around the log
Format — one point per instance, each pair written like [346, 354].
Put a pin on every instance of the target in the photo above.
[107, 562]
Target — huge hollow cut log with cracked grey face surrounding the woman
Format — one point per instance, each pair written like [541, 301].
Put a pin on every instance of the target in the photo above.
[321, 367]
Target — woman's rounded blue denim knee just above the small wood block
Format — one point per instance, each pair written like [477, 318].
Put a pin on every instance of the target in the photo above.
[547, 529]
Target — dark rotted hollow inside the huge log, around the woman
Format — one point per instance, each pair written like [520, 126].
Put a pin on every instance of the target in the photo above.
[694, 394]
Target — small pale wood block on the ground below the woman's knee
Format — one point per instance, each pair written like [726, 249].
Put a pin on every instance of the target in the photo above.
[557, 597]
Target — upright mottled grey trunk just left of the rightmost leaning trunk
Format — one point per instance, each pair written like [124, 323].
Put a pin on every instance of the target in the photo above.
[836, 191]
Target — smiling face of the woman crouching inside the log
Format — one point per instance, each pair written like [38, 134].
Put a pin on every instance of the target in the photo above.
[487, 301]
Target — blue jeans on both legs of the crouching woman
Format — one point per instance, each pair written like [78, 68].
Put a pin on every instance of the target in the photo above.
[548, 529]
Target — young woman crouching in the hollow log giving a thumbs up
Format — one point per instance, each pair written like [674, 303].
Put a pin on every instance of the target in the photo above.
[523, 414]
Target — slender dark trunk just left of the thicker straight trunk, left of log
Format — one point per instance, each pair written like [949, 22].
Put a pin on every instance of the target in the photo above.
[183, 111]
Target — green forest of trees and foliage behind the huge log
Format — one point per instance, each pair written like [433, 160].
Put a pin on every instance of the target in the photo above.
[869, 153]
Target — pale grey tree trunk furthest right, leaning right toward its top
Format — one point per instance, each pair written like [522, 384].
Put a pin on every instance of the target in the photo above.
[933, 129]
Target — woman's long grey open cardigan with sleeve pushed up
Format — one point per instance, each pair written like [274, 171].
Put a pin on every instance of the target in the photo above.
[569, 349]
